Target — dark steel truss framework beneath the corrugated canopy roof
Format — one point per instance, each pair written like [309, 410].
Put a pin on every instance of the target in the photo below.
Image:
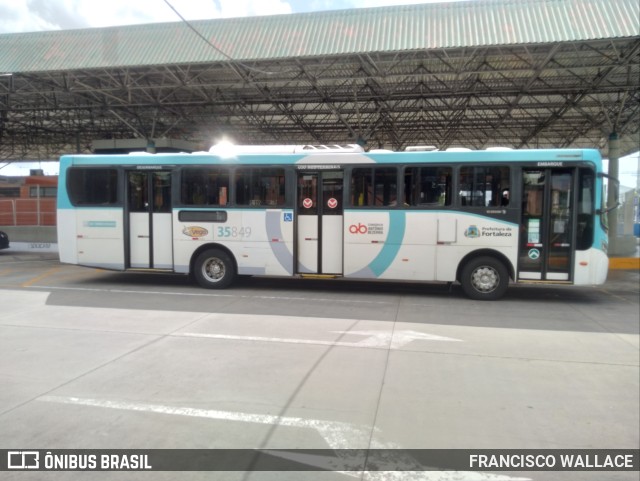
[536, 95]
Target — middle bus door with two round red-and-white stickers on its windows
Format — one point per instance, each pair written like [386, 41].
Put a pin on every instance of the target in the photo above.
[319, 212]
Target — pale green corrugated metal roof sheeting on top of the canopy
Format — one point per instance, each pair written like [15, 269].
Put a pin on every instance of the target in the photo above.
[412, 27]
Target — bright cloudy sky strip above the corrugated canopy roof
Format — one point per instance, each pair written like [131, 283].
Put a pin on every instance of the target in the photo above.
[38, 15]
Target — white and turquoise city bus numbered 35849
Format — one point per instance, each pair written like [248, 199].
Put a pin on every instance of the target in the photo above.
[481, 218]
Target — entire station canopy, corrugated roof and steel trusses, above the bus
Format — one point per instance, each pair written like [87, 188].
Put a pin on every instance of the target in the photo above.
[476, 74]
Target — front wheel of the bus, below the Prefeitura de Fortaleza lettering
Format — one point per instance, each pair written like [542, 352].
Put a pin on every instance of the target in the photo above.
[484, 279]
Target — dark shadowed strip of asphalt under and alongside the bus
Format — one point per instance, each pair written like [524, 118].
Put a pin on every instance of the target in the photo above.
[537, 307]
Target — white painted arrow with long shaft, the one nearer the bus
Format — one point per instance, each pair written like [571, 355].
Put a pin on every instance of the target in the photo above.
[374, 339]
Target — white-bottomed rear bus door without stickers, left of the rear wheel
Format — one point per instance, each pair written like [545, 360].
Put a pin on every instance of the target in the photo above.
[150, 222]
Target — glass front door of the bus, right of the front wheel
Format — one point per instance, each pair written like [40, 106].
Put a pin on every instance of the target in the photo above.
[547, 239]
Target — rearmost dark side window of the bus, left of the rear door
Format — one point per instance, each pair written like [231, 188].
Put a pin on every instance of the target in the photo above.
[95, 187]
